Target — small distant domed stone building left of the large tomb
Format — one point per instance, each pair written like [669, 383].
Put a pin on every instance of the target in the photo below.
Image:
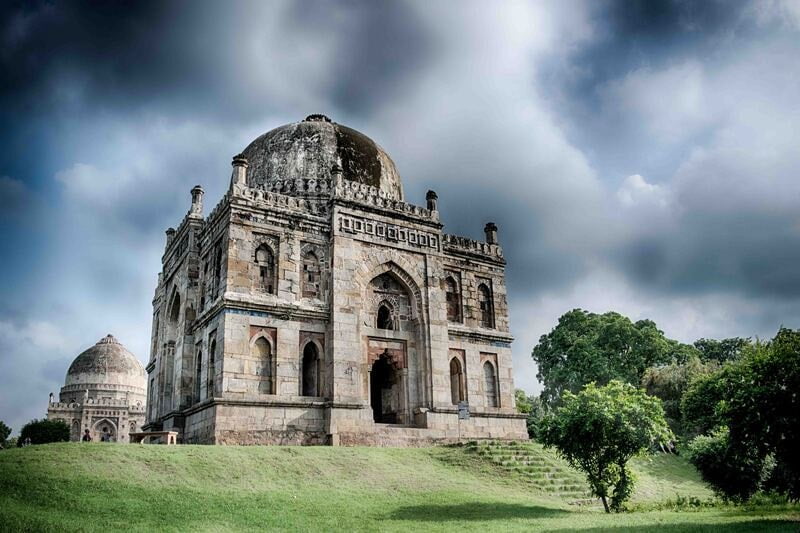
[104, 392]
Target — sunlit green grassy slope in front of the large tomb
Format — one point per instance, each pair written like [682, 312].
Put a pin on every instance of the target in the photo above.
[79, 487]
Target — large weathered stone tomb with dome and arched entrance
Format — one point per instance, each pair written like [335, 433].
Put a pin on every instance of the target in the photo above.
[314, 305]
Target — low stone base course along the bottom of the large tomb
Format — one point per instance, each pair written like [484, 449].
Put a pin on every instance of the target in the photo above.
[321, 423]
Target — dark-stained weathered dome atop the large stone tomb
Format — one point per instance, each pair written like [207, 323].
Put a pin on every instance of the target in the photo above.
[311, 148]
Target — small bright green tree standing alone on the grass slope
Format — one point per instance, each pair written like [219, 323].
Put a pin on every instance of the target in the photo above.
[599, 429]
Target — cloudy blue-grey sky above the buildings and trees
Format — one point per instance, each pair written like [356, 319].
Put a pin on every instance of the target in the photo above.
[638, 156]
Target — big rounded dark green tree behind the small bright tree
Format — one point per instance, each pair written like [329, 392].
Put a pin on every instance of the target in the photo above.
[586, 347]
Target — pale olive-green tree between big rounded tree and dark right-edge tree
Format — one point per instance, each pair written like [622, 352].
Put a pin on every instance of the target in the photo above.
[669, 384]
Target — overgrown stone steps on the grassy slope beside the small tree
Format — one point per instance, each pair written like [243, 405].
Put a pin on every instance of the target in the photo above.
[543, 469]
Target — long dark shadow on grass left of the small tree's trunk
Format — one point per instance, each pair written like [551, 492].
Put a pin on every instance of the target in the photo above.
[472, 511]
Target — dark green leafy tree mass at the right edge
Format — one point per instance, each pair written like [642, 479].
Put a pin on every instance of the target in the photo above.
[753, 410]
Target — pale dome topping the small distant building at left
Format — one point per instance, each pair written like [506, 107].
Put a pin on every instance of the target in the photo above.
[106, 363]
